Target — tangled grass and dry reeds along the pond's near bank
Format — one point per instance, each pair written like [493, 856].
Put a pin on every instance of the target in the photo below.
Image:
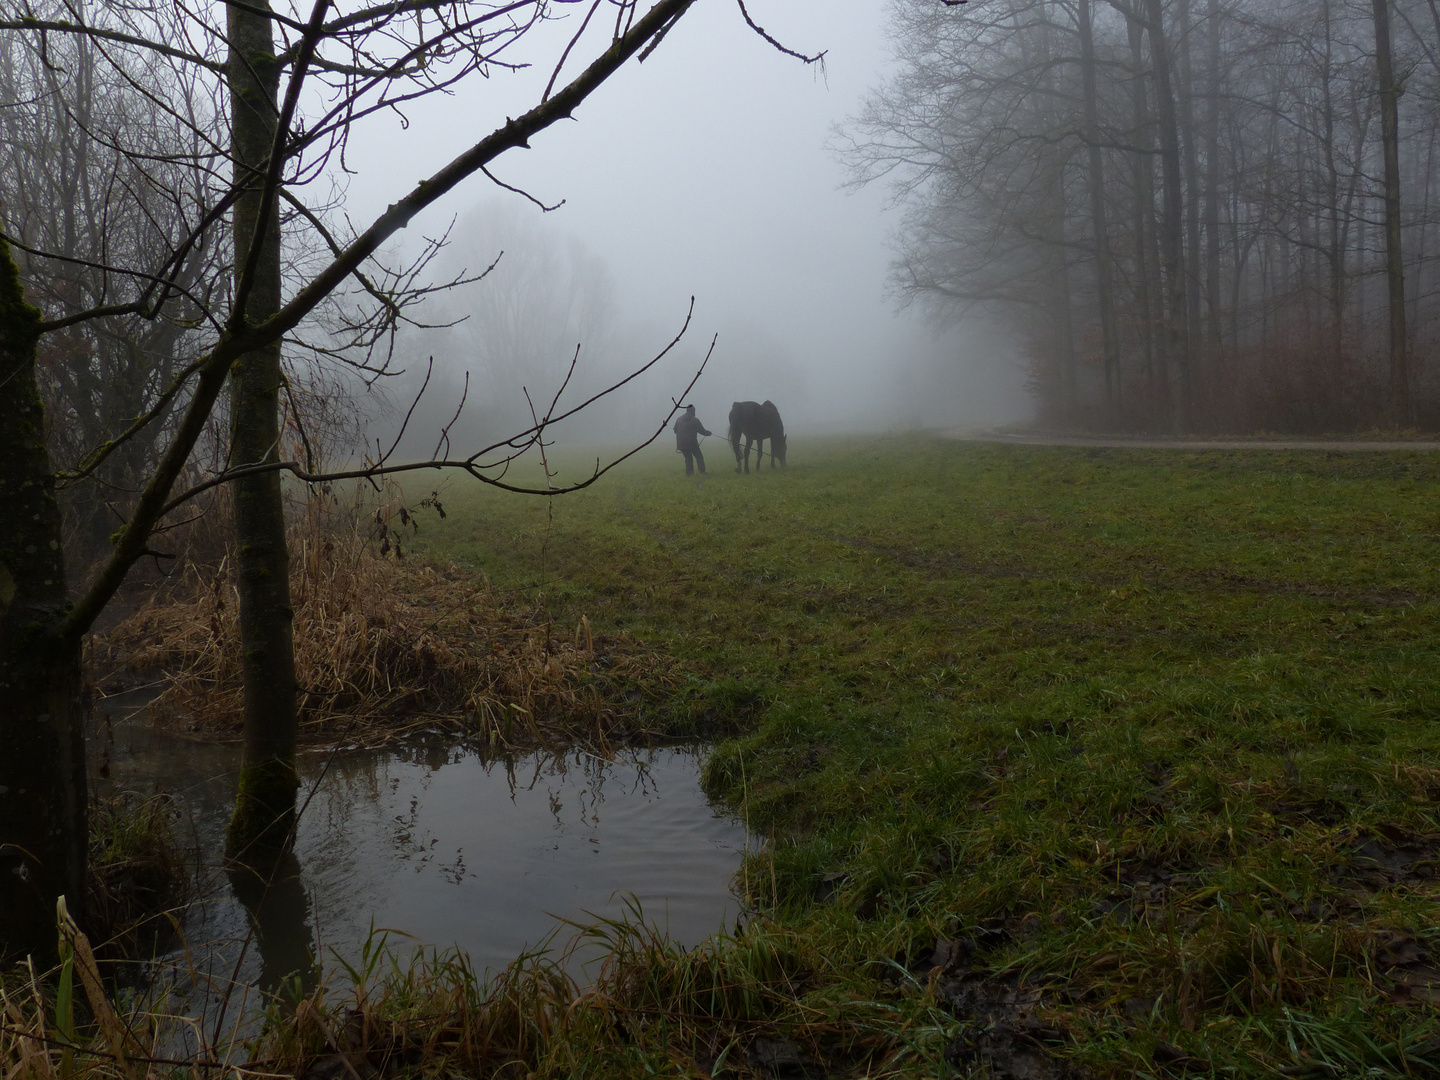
[737, 1004]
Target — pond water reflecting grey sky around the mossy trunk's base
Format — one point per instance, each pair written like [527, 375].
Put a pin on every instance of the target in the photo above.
[447, 847]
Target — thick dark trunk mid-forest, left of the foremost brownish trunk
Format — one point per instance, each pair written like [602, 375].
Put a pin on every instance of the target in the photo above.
[1173, 217]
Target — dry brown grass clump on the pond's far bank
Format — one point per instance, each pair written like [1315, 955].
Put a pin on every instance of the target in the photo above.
[387, 647]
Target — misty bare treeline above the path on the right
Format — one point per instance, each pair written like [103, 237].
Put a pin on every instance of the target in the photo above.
[1199, 215]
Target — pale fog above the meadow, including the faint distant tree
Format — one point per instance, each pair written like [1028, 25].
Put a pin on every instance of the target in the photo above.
[706, 172]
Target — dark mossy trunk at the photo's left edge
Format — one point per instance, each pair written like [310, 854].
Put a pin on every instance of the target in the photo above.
[42, 708]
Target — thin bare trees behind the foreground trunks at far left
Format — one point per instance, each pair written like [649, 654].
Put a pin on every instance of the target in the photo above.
[100, 175]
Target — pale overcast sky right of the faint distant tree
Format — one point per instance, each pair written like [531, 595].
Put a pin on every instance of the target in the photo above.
[705, 172]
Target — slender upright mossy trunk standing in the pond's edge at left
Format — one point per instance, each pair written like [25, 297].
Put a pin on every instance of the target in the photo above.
[261, 829]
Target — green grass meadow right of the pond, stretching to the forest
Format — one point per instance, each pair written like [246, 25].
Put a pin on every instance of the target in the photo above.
[1108, 760]
